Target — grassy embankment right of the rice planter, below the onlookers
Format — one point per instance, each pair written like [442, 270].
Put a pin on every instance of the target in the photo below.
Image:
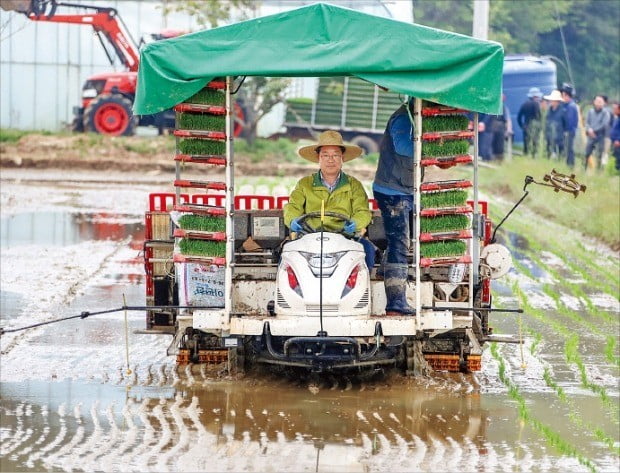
[594, 213]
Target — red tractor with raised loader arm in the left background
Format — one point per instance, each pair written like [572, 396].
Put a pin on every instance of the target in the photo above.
[107, 98]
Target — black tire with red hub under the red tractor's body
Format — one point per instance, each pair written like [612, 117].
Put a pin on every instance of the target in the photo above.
[110, 102]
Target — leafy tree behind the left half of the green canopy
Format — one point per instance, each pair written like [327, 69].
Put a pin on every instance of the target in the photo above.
[258, 95]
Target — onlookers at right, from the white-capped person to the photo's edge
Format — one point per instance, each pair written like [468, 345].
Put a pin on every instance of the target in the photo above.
[559, 118]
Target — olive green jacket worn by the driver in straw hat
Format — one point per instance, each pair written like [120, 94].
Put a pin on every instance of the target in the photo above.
[348, 198]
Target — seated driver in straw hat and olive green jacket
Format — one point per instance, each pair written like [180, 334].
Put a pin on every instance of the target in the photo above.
[341, 193]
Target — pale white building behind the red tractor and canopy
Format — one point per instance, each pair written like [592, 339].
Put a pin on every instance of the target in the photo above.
[44, 65]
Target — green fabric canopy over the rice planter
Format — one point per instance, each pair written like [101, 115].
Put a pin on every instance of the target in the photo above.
[325, 40]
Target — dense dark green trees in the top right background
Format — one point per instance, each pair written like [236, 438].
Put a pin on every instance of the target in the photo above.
[590, 30]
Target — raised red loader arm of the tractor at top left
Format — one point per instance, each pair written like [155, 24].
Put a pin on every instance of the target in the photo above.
[105, 21]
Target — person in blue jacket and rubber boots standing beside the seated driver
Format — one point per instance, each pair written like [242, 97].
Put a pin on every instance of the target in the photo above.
[393, 190]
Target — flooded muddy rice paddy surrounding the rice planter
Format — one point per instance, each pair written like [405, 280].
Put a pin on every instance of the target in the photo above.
[69, 403]
